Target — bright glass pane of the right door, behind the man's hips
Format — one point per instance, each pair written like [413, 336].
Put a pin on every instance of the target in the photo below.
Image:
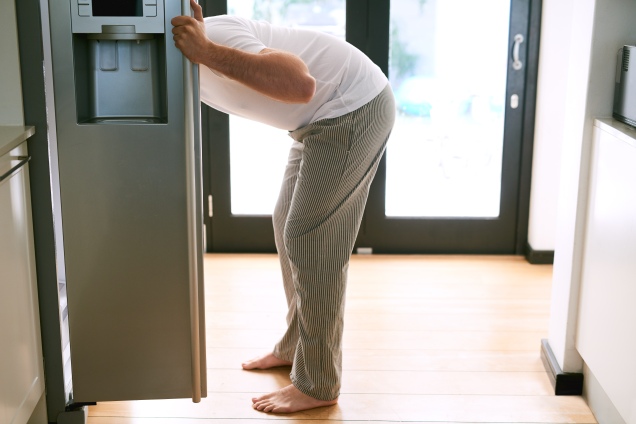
[448, 61]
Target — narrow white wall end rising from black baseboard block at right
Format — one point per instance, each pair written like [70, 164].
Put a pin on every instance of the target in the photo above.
[572, 188]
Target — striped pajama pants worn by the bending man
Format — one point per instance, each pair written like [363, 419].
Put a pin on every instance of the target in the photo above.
[316, 220]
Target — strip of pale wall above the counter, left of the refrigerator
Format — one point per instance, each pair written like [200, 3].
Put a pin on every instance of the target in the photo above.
[10, 83]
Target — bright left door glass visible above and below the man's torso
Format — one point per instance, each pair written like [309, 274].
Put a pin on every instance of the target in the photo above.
[258, 153]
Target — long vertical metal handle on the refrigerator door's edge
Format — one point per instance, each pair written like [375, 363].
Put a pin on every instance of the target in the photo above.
[190, 73]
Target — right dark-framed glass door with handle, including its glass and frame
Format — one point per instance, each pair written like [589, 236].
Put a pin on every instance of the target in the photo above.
[450, 179]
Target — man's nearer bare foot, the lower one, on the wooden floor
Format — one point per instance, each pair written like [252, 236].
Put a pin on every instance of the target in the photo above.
[288, 399]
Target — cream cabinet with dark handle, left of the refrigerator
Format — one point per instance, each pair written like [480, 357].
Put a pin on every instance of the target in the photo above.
[21, 369]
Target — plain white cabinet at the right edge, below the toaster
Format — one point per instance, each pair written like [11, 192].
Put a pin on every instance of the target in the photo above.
[607, 317]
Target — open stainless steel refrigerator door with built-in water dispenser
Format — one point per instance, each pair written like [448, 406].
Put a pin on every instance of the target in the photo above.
[131, 222]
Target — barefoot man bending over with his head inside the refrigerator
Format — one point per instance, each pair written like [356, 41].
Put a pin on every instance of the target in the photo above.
[338, 107]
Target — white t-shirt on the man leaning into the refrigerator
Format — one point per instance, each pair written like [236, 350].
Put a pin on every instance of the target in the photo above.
[346, 79]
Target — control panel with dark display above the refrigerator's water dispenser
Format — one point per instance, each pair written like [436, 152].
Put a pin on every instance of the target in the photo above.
[89, 16]
